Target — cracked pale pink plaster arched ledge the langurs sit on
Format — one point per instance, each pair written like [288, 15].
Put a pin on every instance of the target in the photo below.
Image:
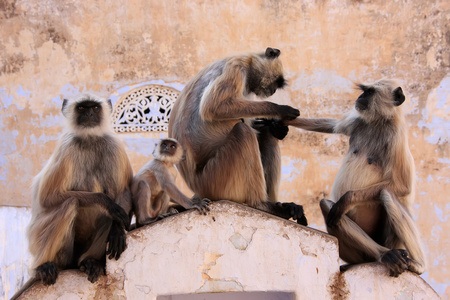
[233, 248]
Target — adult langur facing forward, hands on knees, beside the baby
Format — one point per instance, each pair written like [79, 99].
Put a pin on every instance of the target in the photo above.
[82, 198]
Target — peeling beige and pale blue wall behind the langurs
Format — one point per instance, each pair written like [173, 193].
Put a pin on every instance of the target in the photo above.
[53, 49]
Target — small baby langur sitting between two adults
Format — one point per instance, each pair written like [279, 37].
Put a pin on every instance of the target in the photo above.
[154, 186]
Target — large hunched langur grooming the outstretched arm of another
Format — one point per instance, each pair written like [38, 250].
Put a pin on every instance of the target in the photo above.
[225, 157]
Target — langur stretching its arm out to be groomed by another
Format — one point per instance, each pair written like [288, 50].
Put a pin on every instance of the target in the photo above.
[374, 187]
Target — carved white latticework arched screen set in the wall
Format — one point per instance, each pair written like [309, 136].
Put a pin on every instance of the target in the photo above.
[146, 108]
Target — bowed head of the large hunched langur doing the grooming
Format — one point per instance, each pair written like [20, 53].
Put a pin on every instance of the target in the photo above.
[266, 76]
